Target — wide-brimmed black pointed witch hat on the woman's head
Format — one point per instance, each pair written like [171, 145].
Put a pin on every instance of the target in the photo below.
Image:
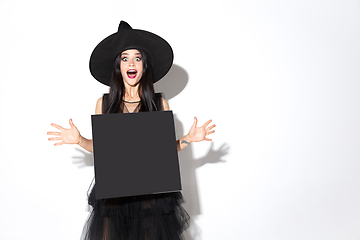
[103, 57]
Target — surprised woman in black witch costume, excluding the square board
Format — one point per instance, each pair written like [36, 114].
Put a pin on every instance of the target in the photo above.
[141, 58]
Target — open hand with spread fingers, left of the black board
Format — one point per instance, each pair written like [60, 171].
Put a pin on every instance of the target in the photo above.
[66, 136]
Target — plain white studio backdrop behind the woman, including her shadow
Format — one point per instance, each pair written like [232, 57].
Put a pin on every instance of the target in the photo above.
[279, 78]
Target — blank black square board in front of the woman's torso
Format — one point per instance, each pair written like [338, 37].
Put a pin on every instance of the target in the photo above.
[135, 154]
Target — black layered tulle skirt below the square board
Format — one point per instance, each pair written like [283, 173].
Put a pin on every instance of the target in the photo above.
[146, 217]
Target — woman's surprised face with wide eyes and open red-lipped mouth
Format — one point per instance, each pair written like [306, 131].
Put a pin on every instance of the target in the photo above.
[131, 66]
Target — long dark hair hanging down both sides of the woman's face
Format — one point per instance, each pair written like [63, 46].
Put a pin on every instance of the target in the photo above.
[117, 88]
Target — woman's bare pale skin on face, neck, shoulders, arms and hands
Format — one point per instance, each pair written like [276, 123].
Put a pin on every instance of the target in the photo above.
[130, 60]
